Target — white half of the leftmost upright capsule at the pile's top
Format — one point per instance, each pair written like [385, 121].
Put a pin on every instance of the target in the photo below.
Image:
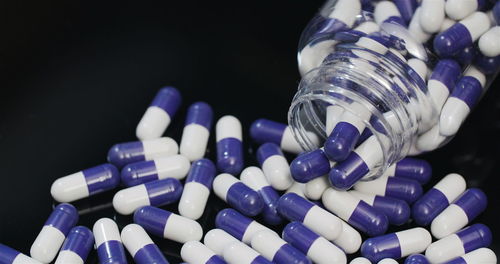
[153, 123]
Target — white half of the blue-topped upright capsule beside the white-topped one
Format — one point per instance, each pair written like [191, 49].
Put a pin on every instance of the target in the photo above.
[194, 141]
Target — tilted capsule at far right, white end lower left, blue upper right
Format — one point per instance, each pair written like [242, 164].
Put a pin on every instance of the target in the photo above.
[458, 214]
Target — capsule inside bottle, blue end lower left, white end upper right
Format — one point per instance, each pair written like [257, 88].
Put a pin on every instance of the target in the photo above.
[461, 35]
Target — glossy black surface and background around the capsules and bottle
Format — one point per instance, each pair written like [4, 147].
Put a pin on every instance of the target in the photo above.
[77, 77]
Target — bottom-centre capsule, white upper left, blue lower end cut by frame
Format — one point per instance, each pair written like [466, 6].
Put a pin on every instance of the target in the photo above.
[277, 250]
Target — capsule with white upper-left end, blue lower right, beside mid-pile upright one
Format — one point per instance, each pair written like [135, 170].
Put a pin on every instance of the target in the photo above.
[237, 194]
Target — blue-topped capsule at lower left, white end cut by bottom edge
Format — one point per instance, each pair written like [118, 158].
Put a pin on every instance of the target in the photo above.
[76, 247]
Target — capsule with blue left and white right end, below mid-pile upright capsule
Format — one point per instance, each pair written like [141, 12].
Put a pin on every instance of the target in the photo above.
[163, 223]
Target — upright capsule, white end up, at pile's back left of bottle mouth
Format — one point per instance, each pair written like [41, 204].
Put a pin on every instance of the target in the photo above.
[229, 145]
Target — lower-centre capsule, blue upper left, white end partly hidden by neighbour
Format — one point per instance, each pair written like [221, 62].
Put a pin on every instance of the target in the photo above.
[238, 225]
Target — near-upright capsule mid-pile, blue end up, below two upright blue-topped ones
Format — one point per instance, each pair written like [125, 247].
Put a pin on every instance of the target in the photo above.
[197, 189]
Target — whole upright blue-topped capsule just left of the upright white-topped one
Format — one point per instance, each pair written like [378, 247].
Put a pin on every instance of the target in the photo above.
[196, 131]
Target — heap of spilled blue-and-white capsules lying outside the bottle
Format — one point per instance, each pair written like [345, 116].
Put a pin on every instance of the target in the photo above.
[324, 223]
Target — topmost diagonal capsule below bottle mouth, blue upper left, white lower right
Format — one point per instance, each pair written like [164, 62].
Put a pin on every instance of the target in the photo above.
[295, 208]
